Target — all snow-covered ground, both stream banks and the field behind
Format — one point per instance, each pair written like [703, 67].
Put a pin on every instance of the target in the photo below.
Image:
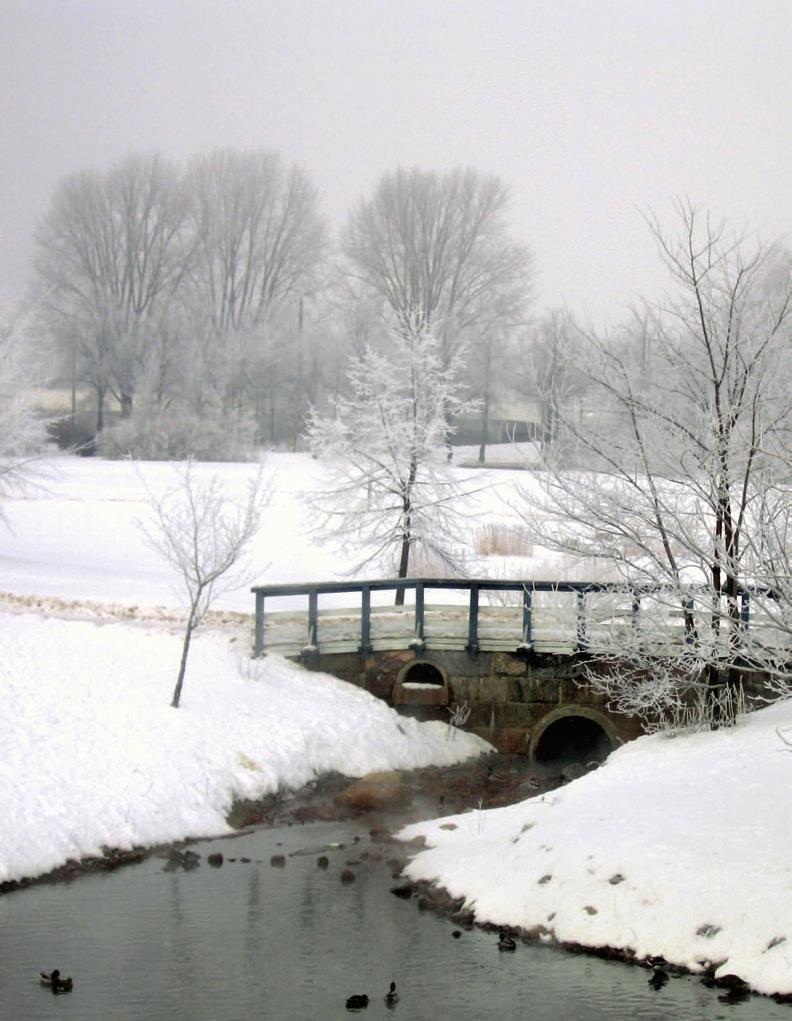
[676, 848]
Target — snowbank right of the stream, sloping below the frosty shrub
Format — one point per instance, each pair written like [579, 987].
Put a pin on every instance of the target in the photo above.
[677, 847]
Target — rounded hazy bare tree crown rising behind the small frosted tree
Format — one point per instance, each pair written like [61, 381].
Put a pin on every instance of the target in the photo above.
[436, 251]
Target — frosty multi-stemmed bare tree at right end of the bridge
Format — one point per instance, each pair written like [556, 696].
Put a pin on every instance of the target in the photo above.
[684, 417]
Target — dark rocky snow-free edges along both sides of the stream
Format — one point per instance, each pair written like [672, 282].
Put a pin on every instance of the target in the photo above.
[468, 791]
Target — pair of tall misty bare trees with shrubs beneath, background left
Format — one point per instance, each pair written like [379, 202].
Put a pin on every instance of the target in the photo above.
[180, 294]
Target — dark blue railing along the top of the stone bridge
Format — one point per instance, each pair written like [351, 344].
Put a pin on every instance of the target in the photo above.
[496, 614]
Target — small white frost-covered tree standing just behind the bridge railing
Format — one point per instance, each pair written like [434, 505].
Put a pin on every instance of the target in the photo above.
[391, 490]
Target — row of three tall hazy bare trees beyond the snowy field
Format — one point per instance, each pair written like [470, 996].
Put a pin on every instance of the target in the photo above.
[209, 309]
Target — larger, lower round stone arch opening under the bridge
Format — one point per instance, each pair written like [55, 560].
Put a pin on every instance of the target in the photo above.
[573, 733]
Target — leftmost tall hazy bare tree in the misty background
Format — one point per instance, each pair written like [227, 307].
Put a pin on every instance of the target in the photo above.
[111, 254]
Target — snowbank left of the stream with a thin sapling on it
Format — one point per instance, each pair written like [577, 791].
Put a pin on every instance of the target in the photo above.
[93, 755]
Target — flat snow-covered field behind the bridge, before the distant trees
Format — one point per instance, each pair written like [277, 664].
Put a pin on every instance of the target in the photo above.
[74, 536]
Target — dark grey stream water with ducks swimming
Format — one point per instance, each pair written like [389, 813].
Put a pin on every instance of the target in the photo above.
[252, 941]
